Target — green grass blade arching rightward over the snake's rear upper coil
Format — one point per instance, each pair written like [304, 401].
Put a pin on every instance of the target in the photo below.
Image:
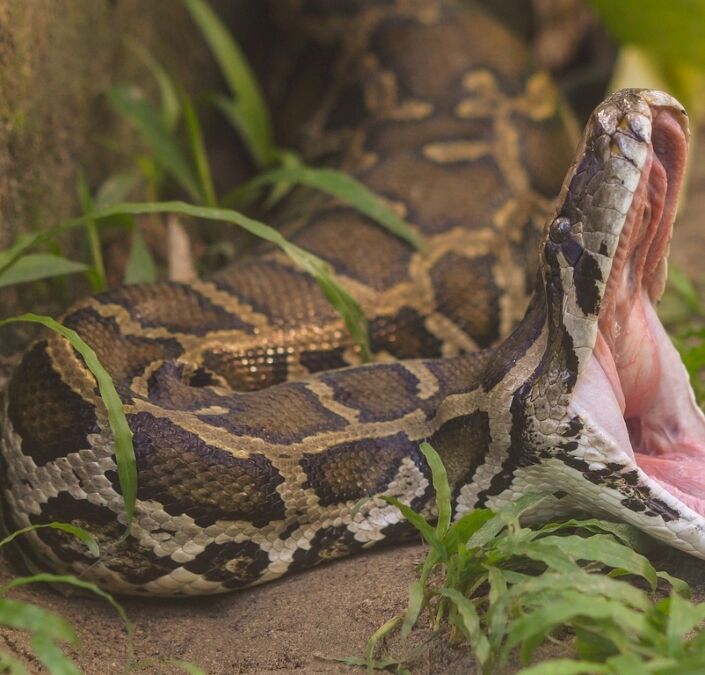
[348, 190]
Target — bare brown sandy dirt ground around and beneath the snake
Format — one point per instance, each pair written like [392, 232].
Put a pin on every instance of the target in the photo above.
[294, 625]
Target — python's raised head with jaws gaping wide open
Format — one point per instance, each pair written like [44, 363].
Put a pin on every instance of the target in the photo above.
[610, 397]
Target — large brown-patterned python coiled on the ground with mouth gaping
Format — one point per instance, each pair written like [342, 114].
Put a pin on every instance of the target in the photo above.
[521, 341]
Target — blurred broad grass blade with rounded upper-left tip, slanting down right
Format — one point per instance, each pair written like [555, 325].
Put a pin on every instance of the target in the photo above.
[128, 101]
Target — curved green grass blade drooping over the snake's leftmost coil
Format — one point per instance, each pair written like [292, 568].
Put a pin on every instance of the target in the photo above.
[124, 451]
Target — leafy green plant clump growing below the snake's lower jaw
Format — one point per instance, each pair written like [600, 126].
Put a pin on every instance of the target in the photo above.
[497, 585]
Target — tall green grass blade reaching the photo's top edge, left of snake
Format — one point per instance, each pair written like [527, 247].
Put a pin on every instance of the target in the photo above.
[247, 110]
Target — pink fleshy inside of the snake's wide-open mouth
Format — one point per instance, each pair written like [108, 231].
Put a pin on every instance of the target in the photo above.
[634, 387]
